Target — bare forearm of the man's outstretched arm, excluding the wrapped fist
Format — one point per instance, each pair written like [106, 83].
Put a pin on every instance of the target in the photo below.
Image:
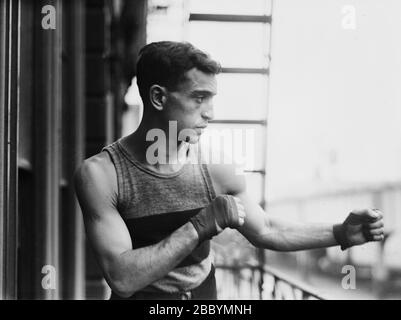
[284, 235]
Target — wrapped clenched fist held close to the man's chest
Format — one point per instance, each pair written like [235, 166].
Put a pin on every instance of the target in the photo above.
[224, 211]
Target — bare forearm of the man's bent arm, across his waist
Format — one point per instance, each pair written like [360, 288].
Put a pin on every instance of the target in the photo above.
[135, 269]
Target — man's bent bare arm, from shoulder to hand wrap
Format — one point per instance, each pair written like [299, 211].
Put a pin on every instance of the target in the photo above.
[125, 269]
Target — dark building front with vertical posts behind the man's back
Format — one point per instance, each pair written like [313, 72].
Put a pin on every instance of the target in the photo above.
[64, 69]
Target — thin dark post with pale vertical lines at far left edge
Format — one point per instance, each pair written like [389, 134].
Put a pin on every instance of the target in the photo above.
[9, 67]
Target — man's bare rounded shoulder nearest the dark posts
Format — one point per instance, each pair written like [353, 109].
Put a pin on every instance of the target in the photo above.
[96, 178]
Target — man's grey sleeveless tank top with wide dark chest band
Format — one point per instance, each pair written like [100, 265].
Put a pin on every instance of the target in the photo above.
[154, 205]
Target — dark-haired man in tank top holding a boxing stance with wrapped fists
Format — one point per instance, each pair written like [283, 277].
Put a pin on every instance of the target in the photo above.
[150, 222]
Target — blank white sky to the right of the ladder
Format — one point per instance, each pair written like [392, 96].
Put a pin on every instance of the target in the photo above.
[335, 96]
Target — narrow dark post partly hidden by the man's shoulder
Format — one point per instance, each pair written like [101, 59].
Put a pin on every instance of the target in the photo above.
[72, 238]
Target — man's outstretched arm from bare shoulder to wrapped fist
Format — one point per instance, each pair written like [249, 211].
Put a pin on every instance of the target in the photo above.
[271, 232]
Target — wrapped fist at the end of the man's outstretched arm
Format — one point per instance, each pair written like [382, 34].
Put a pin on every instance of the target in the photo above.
[360, 227]
